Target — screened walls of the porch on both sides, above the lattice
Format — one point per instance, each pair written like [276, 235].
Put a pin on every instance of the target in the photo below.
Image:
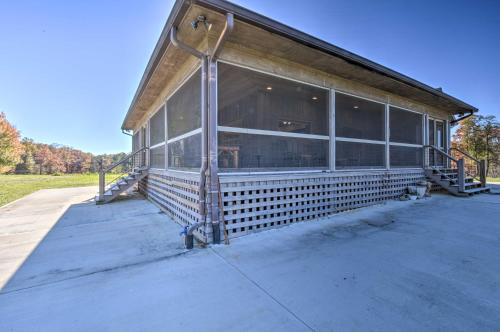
[270, 123]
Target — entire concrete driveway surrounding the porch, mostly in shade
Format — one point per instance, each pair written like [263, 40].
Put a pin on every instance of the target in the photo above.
[425, 265]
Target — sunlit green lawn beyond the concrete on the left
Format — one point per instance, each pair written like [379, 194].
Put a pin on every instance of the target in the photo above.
[13, 187]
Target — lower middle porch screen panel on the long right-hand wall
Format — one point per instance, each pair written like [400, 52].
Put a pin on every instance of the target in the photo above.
[352, 155]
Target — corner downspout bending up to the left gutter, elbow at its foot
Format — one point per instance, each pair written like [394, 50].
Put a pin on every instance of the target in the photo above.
[204, 136]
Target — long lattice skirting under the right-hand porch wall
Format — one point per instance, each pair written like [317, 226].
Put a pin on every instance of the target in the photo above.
[255, 203]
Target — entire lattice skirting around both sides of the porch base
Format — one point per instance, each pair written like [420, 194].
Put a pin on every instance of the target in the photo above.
[252, 203]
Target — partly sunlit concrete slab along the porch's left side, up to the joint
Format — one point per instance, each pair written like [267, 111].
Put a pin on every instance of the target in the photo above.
[59, 234]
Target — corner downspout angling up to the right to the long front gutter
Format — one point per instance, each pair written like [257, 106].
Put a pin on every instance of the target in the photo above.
[213, 167]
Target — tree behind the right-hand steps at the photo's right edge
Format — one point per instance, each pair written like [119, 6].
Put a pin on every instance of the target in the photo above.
[480, 136]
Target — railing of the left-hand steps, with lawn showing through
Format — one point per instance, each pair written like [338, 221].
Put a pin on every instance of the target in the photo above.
[131, 162]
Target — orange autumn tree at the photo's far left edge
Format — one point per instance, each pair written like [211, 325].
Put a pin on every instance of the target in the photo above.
[10, 146]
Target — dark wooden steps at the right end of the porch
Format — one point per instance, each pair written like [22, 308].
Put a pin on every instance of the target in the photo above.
[448, 179]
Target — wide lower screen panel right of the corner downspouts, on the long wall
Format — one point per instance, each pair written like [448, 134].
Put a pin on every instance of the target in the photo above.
[249, 152]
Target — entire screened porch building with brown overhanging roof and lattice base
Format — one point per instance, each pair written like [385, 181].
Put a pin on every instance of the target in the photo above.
[247, 124]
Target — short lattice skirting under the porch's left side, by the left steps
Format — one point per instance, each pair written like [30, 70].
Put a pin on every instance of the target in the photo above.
[177, 194]
